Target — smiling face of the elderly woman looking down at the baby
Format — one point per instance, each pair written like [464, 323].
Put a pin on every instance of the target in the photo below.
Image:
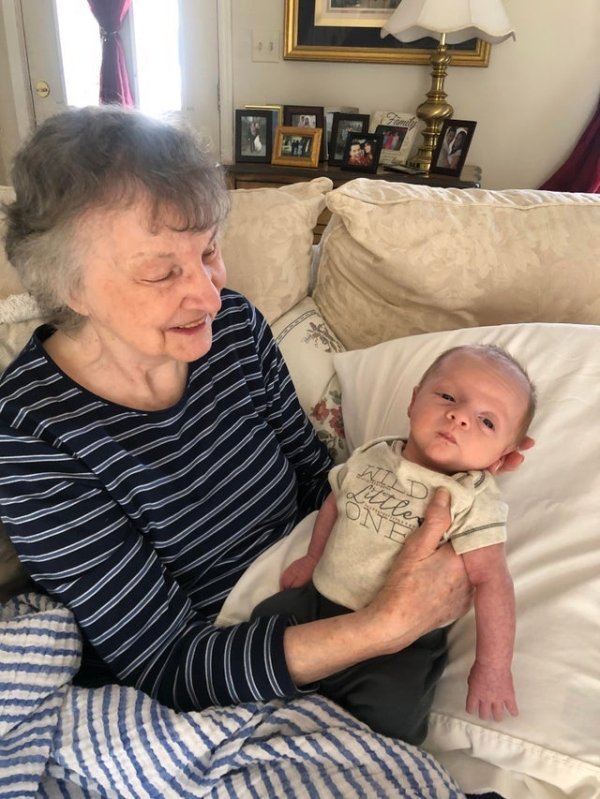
[149, 295]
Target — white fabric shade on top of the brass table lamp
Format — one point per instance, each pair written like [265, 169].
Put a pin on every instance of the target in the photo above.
[460, 20]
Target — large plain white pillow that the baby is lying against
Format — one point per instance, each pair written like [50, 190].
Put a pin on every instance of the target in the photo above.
[552, 749]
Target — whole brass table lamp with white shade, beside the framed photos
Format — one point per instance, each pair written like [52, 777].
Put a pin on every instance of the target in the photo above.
[451, 22]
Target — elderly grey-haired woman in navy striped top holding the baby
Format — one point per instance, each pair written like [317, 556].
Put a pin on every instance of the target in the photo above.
[151, 444]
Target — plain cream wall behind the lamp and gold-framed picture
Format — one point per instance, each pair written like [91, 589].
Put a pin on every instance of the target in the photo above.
[531, 104]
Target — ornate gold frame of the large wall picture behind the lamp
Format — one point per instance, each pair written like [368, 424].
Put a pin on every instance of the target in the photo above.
[296, 51]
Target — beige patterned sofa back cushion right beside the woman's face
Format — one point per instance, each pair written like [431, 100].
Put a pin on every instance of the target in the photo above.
[267, 243]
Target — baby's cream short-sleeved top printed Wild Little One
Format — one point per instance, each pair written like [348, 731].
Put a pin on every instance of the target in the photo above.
[381, 498]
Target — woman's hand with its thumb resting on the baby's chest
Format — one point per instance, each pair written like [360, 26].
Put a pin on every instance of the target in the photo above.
[427, 586]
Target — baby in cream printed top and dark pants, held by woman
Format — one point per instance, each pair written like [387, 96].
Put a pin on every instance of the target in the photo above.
[470, 409]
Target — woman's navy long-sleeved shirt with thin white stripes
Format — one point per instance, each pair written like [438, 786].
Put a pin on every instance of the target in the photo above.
[142, 521]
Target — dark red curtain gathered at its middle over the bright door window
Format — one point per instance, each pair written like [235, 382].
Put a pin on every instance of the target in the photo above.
[114, 79]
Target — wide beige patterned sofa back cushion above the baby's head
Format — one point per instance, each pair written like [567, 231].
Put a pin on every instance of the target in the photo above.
[399, 259]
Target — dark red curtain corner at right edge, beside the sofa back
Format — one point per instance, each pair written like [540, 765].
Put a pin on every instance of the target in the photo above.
[581, 171]
